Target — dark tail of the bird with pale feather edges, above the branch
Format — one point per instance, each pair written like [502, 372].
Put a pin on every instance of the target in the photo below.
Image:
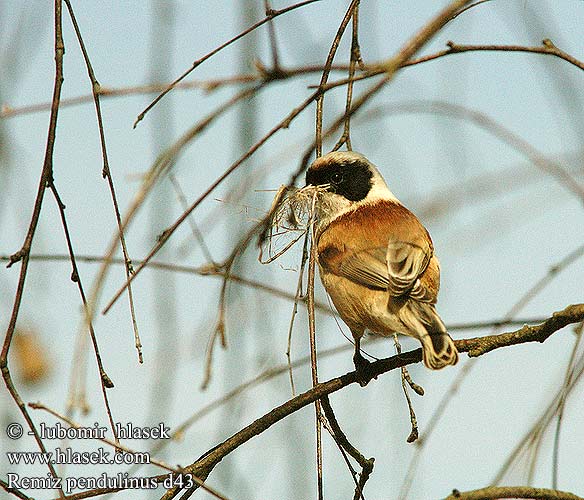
[438, 348]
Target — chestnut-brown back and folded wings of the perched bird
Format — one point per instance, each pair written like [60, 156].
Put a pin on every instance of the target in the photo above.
[385, 247]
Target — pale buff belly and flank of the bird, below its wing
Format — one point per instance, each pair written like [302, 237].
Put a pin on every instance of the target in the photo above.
[361, 307]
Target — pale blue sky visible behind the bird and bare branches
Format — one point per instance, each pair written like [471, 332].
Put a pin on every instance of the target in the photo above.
[492, 249]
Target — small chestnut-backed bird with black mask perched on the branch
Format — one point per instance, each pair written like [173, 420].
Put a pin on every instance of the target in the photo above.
[376, 260]
